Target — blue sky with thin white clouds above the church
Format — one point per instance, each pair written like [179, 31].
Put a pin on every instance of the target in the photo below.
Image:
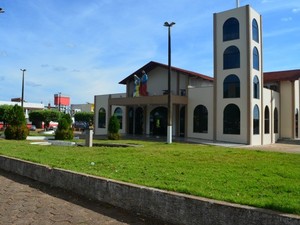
[83, 48]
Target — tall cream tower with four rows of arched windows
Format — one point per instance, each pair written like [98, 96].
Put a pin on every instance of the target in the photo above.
[238, 88]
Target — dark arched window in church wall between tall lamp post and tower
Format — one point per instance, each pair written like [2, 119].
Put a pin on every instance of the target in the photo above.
[200, 119]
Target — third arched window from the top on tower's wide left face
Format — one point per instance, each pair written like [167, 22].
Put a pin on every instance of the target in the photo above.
[231, 87]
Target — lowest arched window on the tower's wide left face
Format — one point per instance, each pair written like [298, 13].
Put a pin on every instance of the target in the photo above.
[231, 119]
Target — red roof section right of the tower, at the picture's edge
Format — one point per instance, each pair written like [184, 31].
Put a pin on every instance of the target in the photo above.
[288, 75]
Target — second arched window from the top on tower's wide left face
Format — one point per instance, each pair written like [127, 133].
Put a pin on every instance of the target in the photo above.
[231, 58]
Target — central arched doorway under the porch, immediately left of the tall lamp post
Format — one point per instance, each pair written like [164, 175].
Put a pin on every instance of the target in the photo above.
[158, 121]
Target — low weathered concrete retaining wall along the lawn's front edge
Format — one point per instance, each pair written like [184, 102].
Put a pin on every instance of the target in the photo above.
[167, 206]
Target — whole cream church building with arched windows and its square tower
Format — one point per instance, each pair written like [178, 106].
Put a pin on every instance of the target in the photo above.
[241, 104]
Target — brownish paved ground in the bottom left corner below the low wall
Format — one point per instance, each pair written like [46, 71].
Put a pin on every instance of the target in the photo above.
[23, 201]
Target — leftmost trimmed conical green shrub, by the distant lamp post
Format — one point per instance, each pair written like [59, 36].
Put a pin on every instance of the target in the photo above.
[17, 128]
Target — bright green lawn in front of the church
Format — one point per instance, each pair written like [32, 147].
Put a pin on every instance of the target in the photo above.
[262, 179]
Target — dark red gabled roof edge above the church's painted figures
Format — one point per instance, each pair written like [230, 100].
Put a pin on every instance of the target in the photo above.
[151, 65]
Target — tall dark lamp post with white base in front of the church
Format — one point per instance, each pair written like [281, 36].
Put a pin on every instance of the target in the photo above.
[170, 112]
